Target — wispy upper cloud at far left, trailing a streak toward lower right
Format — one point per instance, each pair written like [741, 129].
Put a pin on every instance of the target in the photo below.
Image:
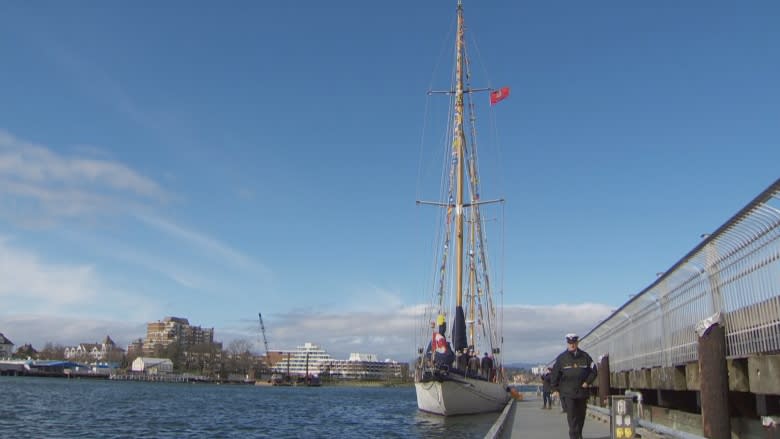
[40, 187]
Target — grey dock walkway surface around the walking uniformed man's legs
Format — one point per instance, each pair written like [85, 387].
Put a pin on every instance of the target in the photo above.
[530, 421]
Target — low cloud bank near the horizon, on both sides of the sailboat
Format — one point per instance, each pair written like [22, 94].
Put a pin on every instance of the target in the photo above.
[531, 333]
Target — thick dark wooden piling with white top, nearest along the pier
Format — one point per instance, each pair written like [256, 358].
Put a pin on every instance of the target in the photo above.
[716, 423]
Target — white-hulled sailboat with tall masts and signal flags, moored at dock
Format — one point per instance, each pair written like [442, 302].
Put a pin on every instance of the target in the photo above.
[449, 380]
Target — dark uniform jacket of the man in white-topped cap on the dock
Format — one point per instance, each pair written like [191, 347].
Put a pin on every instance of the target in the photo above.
[570, 371]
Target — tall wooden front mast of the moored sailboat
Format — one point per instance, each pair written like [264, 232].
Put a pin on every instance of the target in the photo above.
[458, 151]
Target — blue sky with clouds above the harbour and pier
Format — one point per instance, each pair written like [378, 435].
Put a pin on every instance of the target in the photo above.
[214, 161]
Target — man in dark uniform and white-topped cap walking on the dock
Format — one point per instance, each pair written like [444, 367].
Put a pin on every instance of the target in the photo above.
[573, 373]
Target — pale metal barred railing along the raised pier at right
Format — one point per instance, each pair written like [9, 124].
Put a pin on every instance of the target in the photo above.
[734, 273]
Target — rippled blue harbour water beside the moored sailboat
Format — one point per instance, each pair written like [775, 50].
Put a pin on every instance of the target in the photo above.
[87, 408]
